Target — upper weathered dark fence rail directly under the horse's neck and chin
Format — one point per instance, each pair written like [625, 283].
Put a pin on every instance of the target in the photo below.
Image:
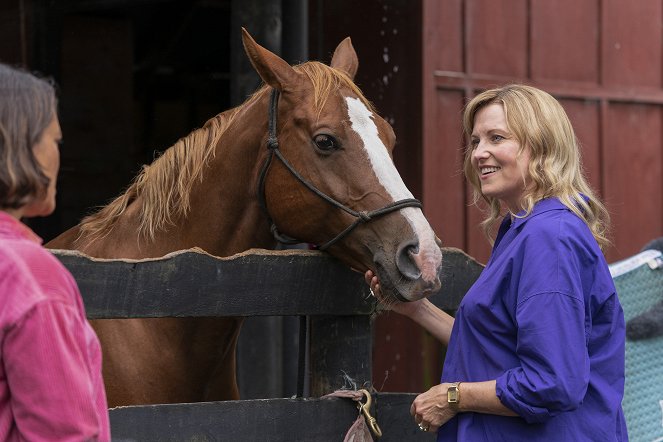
[191, 283]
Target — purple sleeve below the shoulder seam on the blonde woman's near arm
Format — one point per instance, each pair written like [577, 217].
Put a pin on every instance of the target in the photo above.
[554, 364]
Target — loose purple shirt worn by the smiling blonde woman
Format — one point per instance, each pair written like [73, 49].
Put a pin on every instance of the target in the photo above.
[544, 321]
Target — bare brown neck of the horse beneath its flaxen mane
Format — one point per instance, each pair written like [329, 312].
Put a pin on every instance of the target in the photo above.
[224, 216]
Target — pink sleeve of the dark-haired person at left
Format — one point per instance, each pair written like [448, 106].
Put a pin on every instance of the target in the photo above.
[47, 369]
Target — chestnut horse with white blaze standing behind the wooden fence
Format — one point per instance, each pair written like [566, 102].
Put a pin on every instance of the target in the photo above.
[306, 156]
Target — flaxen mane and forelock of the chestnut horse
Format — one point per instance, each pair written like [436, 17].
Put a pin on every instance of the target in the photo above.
[164, 186]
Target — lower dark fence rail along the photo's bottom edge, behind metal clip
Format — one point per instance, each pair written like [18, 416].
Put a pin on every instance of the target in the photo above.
[275, 420]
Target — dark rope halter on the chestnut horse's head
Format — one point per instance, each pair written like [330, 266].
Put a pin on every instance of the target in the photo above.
[362, 217]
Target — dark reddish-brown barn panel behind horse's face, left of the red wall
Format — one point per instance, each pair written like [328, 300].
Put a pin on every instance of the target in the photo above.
[386, 36]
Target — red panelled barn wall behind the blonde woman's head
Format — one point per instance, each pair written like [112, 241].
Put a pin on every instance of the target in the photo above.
[600, 58]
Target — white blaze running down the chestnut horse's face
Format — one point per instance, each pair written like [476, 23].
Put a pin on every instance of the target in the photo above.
[363, 123]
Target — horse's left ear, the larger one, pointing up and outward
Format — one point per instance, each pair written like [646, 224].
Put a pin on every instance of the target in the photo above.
[274, 71]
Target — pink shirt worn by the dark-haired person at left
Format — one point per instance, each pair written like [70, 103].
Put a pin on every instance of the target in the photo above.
[51, 386]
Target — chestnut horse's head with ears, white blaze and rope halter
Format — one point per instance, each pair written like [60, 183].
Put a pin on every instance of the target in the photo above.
[332, 169]
